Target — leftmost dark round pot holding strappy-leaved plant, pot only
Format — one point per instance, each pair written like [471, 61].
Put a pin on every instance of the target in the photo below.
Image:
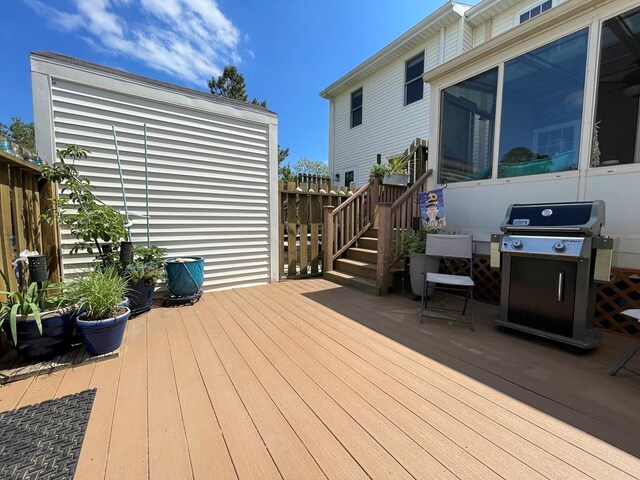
[55, 338]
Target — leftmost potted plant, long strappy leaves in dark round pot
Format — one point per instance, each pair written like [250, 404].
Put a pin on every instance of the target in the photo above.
[36, 325]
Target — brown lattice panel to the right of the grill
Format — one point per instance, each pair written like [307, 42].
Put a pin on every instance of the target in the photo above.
[621, 293]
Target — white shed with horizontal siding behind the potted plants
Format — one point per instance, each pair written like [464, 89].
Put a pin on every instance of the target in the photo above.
[212, 163]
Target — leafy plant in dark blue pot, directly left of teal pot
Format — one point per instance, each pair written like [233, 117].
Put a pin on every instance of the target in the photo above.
[142, 274]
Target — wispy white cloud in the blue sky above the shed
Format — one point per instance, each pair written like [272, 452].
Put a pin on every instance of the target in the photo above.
[189, 39]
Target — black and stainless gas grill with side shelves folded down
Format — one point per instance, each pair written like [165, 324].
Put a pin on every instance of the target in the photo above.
[552, 256]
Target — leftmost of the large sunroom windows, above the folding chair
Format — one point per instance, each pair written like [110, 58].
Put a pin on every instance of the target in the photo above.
[468, 116]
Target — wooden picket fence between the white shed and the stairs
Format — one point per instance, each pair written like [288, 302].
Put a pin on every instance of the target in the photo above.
[300, 225]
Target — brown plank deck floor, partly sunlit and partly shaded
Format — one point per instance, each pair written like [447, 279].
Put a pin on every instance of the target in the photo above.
[306, 379]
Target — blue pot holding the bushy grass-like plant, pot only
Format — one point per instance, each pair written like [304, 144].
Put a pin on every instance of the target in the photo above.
[103, 336]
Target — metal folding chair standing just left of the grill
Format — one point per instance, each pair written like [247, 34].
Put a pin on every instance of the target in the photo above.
[453, 247]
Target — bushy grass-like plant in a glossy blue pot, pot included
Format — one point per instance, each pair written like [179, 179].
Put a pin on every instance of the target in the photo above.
[102, 321]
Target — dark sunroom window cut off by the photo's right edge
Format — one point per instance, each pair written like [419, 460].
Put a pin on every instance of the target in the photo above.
[616, 138]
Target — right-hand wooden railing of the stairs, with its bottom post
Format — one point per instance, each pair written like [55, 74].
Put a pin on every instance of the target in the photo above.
[393, 222]
